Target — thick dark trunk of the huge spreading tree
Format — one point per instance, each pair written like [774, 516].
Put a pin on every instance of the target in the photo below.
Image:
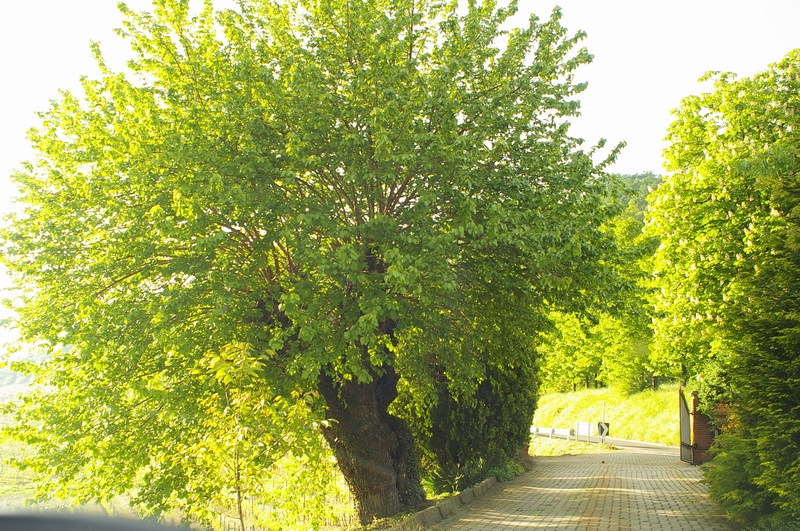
[374, 449]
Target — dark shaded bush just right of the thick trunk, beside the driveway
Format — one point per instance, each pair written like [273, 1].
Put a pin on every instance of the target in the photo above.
[464, 438]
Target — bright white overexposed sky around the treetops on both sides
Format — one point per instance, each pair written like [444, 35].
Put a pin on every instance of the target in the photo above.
[648, 55]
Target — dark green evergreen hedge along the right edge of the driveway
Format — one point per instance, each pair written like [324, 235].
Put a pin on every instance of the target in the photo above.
[763, 367]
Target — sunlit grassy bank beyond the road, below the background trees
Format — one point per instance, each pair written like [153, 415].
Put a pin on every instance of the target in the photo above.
[649, 416]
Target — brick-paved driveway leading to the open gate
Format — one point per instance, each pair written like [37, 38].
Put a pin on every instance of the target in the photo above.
[629, 489]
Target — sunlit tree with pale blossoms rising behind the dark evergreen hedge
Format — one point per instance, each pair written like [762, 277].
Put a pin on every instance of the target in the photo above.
[706, 211]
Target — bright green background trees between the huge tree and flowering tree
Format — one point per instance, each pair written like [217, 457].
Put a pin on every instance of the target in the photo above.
[609, 343]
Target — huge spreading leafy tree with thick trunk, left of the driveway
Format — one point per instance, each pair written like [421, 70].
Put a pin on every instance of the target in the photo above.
[248, 226]
